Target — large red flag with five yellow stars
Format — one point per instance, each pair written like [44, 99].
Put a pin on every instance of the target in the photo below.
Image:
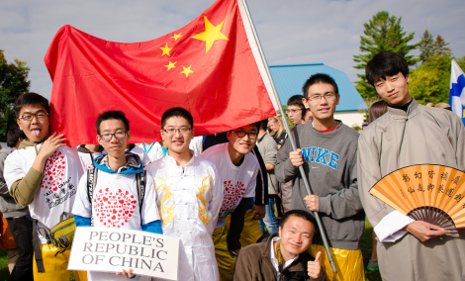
[210, 67]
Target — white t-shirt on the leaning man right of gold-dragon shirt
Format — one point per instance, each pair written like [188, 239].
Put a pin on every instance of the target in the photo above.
[238, 181]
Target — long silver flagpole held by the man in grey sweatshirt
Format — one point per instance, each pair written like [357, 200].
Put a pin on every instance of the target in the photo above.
[290, 136]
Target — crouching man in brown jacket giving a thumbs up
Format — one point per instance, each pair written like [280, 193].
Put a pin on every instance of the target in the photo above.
[284, 255]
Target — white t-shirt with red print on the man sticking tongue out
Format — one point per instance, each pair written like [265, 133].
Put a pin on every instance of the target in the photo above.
[58, 186]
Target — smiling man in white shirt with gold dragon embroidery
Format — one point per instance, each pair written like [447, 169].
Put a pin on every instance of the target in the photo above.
[189, 197]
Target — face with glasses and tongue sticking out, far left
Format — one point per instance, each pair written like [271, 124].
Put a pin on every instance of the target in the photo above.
[33, 120]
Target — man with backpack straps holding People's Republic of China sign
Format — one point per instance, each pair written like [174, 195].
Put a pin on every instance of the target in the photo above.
[119, 195]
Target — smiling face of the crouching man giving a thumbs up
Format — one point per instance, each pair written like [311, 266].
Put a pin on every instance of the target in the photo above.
[296, 236]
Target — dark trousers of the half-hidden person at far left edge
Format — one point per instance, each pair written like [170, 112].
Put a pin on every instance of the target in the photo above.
[21, 228]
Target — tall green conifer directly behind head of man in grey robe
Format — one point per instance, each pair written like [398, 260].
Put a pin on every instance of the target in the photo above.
[382, 33]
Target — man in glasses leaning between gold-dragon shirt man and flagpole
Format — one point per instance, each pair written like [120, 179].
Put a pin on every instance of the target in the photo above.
[238, 169]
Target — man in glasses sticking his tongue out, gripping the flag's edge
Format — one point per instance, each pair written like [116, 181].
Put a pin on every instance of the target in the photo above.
[43, 174]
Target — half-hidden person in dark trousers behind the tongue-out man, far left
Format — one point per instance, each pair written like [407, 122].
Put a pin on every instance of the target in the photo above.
[19, 220]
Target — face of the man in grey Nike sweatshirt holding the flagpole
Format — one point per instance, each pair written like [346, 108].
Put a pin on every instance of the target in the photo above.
[322, 108]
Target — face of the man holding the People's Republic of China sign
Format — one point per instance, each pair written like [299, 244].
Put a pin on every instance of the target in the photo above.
[113, 137]
